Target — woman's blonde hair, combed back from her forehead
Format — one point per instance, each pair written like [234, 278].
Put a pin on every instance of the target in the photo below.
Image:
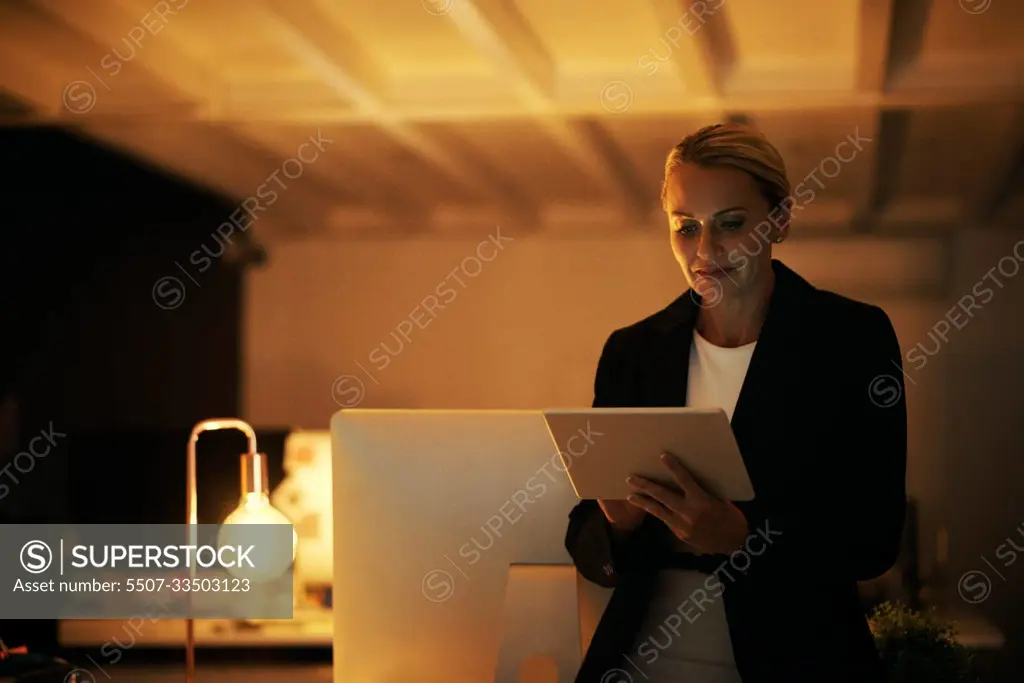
[737, 146]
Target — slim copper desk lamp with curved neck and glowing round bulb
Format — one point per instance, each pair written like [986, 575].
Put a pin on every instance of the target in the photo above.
[254, 507]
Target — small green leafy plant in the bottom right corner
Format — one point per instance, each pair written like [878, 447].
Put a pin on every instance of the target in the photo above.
[919, 648]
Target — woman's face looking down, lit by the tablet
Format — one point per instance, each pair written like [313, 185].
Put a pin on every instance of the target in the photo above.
[721, 231]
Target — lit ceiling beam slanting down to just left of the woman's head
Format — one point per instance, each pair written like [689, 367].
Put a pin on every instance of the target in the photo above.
[501, 33]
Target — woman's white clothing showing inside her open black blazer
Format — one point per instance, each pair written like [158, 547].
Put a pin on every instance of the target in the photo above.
[686, 636]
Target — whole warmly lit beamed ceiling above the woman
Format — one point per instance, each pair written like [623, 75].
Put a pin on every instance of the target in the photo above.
[439, 116]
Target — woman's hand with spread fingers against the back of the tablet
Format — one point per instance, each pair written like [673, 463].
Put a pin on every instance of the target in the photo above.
[706, 524]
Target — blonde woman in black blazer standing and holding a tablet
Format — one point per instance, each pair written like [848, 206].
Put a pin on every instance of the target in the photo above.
[764, 590]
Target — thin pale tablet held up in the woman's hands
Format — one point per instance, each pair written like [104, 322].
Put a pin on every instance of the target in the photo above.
[601, 447]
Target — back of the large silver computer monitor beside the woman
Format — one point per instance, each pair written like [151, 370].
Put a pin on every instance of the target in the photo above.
[431, 510]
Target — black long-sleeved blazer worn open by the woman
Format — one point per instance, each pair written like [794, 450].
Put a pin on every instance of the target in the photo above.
[822, 425]
